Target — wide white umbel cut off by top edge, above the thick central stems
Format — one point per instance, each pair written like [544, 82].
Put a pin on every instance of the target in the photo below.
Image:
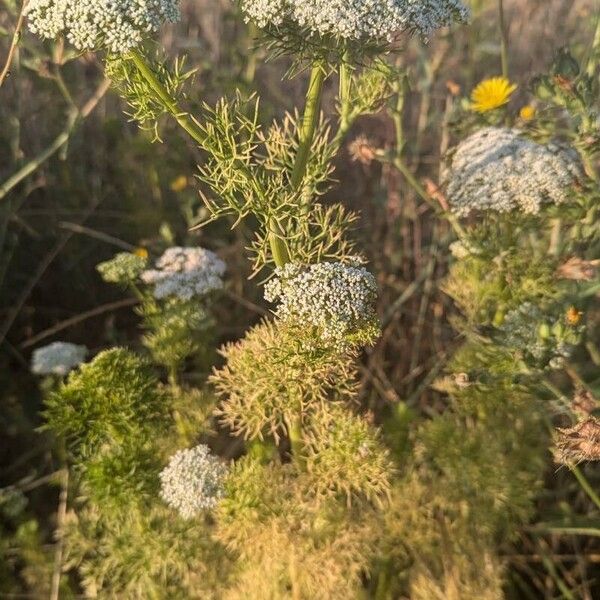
[357, 19]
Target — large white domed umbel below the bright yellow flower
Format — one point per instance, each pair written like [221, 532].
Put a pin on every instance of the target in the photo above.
[497, 169]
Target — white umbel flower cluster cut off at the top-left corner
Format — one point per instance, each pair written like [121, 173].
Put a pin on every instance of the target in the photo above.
[117, 25]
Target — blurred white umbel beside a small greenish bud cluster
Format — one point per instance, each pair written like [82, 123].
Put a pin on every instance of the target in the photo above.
[185, 273]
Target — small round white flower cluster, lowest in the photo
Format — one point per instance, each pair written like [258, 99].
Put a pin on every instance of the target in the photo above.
[193, 481]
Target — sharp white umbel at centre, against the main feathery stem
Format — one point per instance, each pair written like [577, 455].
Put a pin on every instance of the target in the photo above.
[335, 298]
